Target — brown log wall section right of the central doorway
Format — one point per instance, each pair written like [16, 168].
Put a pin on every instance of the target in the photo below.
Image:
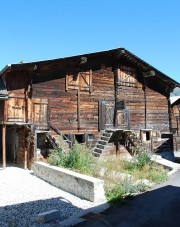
[156, 108]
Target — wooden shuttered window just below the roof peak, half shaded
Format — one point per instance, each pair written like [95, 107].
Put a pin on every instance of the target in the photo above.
[127, 76]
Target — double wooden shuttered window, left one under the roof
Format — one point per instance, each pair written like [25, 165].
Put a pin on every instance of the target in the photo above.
[80, 80]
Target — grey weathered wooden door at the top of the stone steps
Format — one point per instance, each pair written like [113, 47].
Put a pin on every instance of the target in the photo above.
[106, 115]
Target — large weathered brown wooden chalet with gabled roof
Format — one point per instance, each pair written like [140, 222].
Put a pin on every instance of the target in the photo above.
[111, 100]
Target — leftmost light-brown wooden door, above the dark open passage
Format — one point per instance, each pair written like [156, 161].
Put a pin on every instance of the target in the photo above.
[15, 110]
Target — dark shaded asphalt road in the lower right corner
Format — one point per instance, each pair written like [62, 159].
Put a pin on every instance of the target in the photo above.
[159, 207]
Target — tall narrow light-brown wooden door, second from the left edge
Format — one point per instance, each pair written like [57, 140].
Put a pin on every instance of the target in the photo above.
[40, 113]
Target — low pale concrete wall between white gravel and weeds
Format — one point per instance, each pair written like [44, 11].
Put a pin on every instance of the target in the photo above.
[80, 185]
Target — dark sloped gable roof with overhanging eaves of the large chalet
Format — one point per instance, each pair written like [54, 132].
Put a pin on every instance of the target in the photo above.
[114, 53]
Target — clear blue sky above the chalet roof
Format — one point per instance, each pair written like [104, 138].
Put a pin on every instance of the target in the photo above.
[33, 30]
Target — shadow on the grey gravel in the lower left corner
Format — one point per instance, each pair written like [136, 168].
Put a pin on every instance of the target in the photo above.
[24, 214]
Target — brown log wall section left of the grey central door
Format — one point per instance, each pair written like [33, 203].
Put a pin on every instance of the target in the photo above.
[63, 104]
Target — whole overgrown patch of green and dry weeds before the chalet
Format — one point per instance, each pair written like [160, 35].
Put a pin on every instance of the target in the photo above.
[122, 179]
